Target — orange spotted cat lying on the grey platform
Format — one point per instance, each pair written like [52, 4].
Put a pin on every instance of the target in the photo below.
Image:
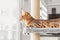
[38, 23]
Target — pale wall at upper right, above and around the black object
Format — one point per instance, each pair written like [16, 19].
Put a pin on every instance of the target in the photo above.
[54, 4]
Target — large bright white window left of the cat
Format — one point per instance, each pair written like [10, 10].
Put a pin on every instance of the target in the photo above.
[9, 19]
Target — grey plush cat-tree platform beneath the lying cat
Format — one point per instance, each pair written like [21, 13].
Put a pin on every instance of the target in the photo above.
[51, 32]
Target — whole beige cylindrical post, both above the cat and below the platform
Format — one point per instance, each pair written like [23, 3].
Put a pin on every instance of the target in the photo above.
[35, 12]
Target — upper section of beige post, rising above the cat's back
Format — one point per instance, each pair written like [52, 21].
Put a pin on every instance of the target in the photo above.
[35, 8]
